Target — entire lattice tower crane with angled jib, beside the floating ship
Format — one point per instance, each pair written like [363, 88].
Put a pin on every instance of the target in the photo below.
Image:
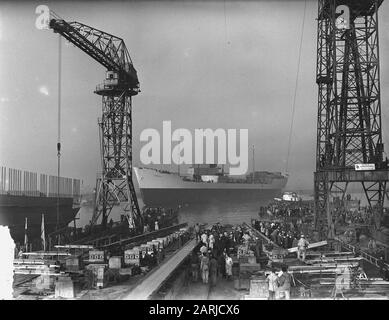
[115, 185]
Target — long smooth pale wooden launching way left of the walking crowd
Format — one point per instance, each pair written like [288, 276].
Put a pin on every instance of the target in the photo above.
[157, 277]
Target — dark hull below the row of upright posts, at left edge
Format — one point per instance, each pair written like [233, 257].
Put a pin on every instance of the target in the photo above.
[15, 209]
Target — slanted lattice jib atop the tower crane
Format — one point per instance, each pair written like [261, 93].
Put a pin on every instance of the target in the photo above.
[105, 48]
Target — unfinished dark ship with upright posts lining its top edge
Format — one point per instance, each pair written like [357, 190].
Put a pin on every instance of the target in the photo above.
[25, 194]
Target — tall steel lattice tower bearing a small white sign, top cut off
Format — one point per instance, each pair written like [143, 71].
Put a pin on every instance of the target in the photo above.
[349, 137]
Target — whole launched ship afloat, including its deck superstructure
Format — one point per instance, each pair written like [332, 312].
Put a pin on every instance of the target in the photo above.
[206, 184]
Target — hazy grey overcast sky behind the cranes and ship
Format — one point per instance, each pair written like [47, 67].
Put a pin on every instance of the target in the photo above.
[200, 65]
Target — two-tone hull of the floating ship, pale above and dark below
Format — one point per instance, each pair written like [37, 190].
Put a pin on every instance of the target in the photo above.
[168, 189]
